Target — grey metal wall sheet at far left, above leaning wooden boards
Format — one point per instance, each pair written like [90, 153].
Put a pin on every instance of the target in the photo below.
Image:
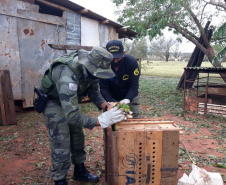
[9, 53]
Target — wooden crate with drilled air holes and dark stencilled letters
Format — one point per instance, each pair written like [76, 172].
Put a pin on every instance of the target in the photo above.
[142, 151]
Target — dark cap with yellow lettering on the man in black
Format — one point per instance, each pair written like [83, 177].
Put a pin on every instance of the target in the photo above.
[115, 47]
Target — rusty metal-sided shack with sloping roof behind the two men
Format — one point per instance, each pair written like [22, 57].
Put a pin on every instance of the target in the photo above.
[35, 32]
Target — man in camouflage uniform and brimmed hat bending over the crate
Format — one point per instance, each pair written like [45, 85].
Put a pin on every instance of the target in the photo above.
[65, 122]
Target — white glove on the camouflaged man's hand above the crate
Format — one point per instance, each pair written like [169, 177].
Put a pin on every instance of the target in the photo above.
[110, 117]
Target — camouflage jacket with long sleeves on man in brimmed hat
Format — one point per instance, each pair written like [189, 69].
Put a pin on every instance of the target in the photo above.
[71, 87]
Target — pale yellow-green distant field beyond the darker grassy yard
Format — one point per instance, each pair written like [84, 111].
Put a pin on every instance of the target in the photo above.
[166, 69]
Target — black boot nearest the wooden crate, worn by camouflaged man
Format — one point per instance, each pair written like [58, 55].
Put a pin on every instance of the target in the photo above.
[81, 173]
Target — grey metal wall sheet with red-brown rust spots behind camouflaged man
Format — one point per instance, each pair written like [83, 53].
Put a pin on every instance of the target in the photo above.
[35, 53]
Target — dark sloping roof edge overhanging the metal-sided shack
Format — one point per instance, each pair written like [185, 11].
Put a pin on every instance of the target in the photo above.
[92, 15]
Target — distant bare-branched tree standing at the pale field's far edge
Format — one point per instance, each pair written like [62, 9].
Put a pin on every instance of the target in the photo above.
[163, 47]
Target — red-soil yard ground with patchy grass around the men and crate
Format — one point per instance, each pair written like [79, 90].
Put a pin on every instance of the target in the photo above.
[25, 153]
